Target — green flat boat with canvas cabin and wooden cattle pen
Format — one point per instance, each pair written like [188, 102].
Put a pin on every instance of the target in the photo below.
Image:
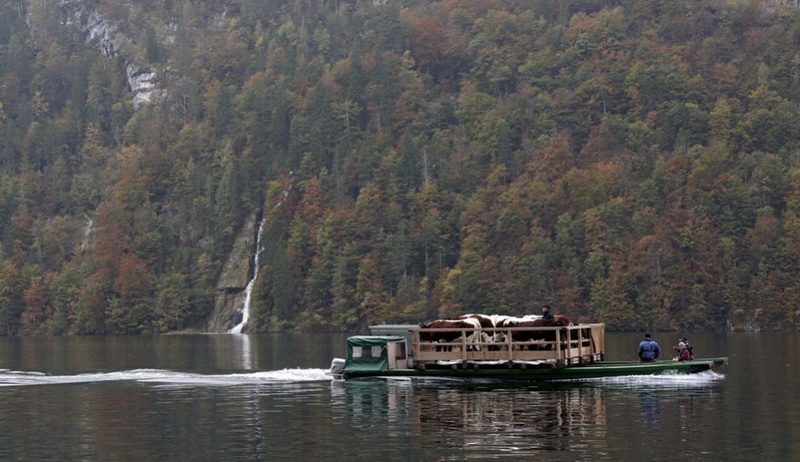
[527, 354]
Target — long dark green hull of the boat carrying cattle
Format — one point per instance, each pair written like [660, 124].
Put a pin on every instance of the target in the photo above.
[587, 371]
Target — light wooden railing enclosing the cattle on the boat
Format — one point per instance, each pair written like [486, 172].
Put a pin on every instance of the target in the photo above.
[559, 346]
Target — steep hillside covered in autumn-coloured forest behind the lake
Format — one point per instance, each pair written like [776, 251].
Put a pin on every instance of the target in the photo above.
[634, 162]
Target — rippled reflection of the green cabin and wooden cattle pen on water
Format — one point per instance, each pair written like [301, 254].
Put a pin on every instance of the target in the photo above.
[482, 416]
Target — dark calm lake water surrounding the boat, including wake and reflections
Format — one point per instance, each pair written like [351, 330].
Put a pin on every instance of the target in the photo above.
[245, 397]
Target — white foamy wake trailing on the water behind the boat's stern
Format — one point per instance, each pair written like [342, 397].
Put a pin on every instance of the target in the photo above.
[10, 378]
